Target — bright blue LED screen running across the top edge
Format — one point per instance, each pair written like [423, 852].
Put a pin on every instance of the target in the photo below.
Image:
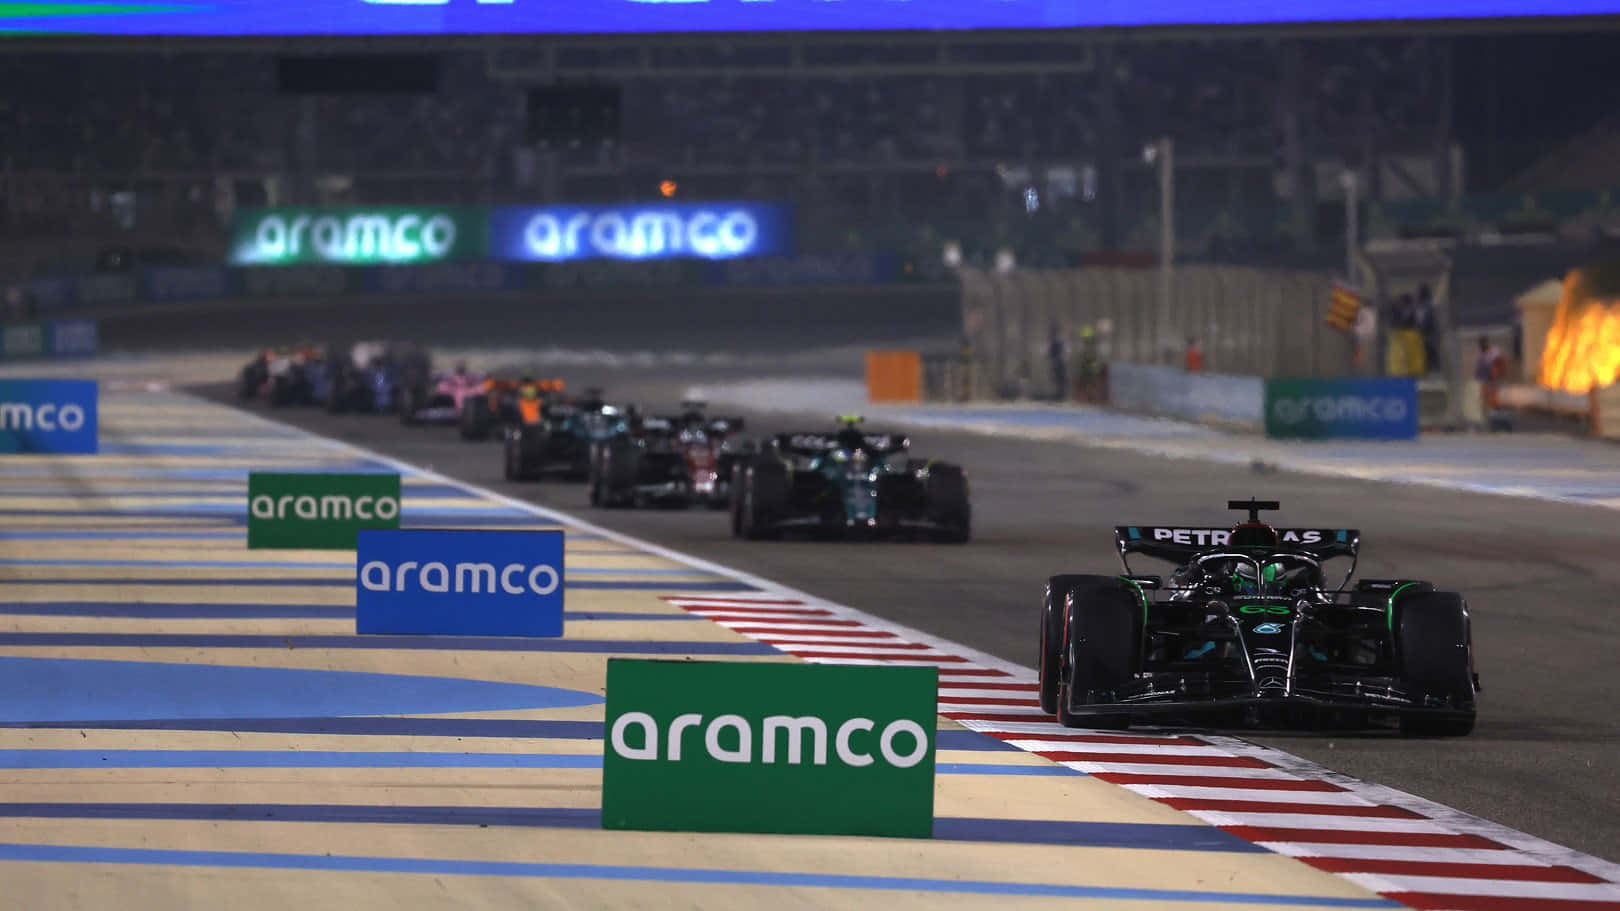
[646, 17]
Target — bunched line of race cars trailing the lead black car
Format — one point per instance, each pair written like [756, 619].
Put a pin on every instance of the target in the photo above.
[838, 481]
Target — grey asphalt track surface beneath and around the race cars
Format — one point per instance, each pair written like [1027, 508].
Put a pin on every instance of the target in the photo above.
[1541, 580]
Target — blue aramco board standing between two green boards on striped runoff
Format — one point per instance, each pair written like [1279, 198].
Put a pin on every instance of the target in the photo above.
[459, 583]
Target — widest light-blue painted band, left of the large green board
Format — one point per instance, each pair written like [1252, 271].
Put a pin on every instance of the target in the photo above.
[72, 690]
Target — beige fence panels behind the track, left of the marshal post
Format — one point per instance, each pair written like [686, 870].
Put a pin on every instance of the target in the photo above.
[1247, 322]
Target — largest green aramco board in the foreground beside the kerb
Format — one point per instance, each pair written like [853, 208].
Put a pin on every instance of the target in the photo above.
[730, 746]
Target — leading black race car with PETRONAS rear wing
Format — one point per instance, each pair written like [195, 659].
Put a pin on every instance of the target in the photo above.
[1248, 628]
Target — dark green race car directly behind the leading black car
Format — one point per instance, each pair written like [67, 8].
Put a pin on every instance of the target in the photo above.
[848, 482]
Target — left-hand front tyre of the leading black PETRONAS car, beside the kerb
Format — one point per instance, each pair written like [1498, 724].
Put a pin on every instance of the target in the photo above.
[1099, 654]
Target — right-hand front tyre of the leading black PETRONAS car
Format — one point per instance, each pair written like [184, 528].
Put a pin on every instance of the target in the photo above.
[1435, 644]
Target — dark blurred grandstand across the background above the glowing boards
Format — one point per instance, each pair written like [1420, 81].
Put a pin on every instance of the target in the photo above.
[905, 142]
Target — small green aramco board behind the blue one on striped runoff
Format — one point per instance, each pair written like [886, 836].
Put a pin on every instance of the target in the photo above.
[320, 511]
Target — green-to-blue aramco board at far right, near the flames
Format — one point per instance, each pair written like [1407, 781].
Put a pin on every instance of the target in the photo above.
[1342, 409]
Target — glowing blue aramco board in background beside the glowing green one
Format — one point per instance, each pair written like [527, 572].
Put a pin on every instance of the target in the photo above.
[657, 231]
